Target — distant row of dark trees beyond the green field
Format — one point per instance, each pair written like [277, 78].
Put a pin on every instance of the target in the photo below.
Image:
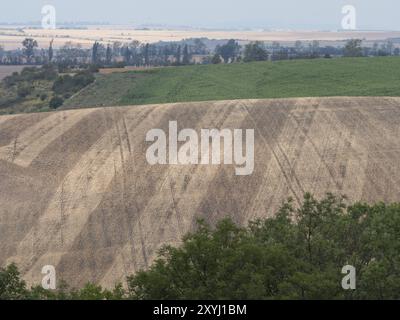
[184, 52]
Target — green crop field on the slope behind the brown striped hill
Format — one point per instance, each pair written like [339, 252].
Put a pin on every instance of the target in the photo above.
[283, 79]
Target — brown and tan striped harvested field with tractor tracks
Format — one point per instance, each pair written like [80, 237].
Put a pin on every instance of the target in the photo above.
[77, 192]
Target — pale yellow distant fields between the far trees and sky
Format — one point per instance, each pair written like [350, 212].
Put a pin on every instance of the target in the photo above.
[12, 38]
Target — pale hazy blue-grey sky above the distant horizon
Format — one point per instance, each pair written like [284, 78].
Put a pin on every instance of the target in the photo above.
[277, 14]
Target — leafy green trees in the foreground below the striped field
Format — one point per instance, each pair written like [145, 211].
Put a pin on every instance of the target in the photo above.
[298, 253]
